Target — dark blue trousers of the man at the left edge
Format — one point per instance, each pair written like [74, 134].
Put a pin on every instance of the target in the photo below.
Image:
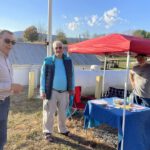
[4, 109]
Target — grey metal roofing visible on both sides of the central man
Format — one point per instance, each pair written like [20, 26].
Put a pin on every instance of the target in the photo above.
[28, 53]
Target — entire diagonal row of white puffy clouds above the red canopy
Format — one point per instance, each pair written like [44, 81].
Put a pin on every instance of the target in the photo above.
[108, 19]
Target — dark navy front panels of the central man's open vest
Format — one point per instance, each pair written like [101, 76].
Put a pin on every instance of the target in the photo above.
[49, 76]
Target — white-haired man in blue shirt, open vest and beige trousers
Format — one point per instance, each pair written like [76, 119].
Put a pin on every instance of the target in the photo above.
[56, 83]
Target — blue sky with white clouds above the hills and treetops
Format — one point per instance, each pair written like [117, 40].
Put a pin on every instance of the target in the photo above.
[76, 17]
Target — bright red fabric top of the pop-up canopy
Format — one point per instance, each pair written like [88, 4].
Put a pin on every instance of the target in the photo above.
[113, 43]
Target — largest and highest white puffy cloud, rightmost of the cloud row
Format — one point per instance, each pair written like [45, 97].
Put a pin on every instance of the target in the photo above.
[110, 17]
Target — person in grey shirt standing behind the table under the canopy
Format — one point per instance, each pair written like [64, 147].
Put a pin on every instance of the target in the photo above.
[140, 81]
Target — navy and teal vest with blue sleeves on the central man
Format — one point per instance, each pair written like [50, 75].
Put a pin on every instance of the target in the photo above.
[48, 71]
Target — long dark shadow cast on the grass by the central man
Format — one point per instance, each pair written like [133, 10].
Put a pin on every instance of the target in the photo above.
[82, 143]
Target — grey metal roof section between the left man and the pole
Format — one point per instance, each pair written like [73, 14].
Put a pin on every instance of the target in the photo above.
[26, 53]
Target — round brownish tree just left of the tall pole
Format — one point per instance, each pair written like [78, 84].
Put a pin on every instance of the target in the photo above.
[31, 34]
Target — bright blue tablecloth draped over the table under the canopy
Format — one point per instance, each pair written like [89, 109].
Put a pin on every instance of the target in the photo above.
[137, 124]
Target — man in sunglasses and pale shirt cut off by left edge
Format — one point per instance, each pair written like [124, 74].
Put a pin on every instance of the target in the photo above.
[7, 87]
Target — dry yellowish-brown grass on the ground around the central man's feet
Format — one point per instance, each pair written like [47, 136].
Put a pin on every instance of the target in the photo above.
[25, 130]
